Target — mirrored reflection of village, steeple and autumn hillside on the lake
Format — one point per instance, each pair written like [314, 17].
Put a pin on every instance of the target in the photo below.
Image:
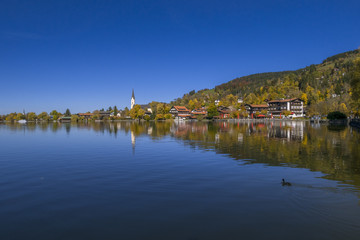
[333, 150]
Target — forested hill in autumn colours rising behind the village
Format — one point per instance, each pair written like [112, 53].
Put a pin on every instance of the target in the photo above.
[324, 87]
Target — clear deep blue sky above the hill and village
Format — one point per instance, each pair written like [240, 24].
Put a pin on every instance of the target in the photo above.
[85, 55]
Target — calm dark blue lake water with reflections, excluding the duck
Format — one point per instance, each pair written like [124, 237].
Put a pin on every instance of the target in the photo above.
[172, 180]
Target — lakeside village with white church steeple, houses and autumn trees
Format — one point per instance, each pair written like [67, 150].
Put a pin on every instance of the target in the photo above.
[281, 108]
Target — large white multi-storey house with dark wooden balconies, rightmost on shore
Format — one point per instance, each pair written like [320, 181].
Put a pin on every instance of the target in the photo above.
[294, 105]
